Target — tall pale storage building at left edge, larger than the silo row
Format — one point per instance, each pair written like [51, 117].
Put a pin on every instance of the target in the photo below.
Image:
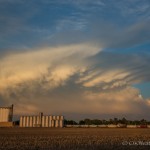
[6, 116]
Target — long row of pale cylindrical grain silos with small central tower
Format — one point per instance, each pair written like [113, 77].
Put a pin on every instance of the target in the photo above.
[42, 121]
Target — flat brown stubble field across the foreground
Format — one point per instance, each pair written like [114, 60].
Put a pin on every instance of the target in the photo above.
[74, 138]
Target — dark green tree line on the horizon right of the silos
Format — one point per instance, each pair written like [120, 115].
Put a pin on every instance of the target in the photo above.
[114, 121]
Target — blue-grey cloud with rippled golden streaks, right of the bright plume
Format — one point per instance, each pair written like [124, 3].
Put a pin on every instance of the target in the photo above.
[112, 71]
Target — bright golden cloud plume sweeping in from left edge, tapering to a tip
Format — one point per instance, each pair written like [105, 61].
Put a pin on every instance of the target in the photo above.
[44, 64]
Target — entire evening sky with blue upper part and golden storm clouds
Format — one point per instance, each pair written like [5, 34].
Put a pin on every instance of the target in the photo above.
[77, 58]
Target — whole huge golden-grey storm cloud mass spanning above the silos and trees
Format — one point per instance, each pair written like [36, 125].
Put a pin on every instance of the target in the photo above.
[70, 78]
